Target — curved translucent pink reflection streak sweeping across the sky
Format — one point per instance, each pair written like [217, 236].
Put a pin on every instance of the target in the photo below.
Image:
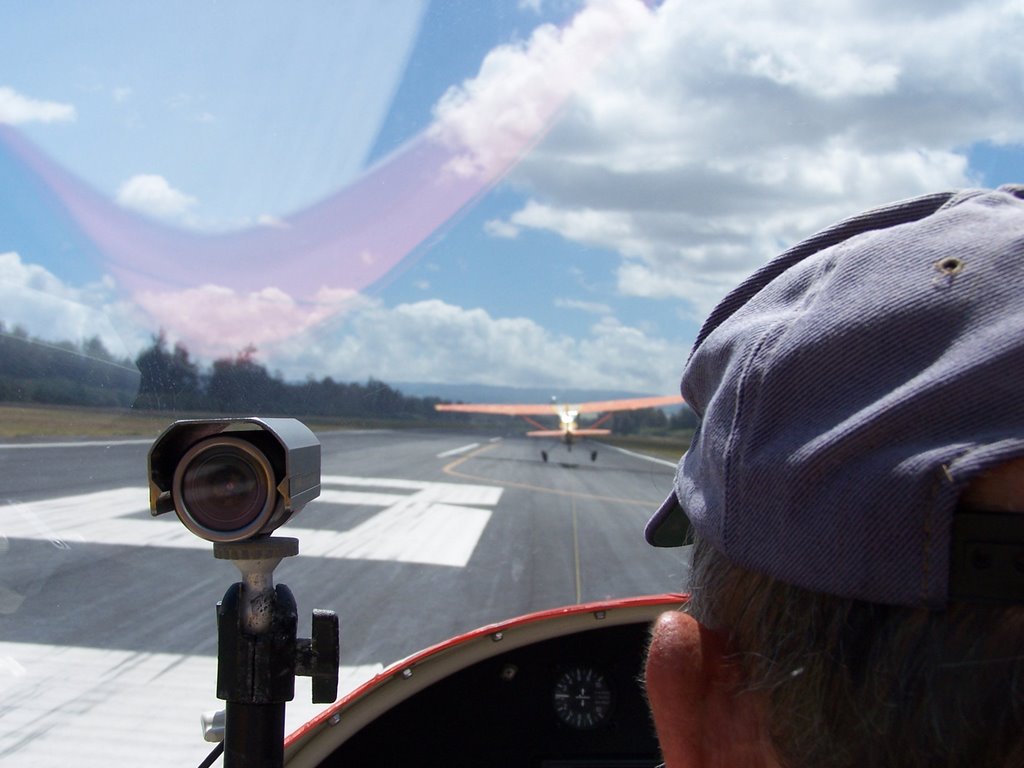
[204, 286]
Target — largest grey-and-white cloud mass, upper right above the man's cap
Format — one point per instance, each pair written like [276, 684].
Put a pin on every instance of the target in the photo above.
[726, 131]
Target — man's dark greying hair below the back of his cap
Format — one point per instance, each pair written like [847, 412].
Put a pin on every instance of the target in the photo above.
[852, 684]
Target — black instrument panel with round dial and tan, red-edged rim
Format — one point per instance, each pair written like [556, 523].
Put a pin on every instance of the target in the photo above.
[569, 696]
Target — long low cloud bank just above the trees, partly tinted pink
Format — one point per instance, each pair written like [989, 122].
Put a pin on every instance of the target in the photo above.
[342, 334]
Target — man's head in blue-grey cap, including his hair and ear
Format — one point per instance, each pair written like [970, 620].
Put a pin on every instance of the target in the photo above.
[855, 492]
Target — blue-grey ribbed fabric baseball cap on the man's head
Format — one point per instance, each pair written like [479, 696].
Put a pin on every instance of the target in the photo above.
[847, 394]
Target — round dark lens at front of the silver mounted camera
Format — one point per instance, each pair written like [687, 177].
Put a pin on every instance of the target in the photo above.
[225, 490]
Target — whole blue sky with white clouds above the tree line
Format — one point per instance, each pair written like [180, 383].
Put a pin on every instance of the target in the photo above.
[552, 193]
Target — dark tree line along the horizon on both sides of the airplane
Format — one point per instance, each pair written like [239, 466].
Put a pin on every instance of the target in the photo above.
[165, 377]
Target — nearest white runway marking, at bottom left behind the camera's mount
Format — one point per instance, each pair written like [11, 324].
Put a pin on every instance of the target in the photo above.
[93, 707]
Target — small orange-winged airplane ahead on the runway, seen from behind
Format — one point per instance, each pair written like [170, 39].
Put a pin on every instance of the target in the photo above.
[569, 432]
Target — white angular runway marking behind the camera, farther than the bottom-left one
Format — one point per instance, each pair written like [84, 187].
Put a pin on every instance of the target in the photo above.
[439, 524]
